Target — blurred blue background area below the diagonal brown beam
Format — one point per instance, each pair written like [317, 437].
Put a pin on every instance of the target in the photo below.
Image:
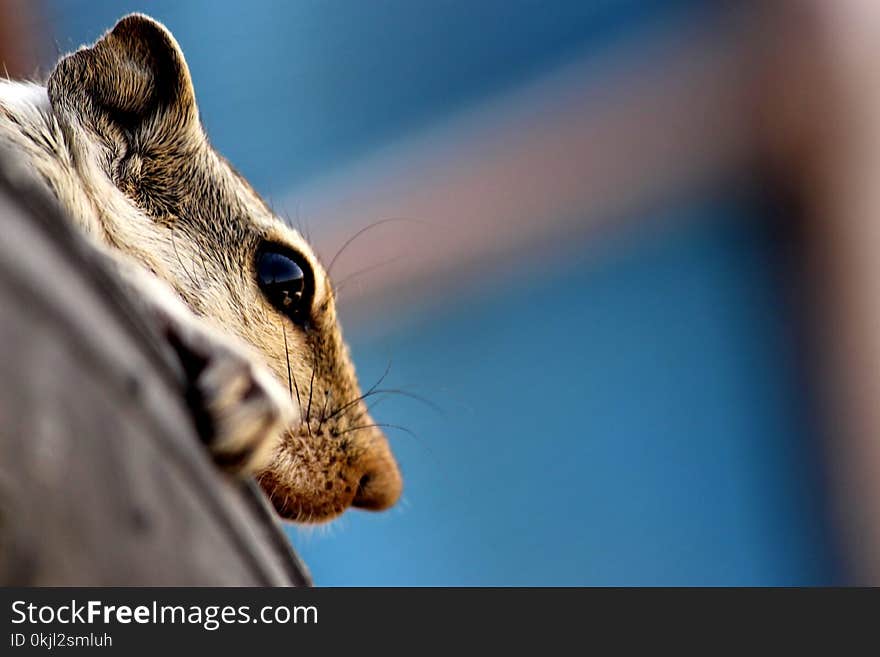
[633, 418]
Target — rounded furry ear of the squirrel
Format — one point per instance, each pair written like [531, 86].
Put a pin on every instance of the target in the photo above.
[134, 78]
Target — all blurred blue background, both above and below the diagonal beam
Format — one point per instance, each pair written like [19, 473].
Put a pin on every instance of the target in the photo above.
[628, 412]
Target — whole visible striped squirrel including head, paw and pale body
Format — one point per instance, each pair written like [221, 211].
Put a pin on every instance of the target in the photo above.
[240, 296]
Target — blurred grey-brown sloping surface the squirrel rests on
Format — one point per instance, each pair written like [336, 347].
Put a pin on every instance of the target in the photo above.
[102, 479]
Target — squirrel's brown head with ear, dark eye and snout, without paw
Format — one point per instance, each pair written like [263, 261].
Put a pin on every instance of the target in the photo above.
[128, 102]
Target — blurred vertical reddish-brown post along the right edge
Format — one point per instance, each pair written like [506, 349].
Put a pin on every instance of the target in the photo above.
[823, 102]
